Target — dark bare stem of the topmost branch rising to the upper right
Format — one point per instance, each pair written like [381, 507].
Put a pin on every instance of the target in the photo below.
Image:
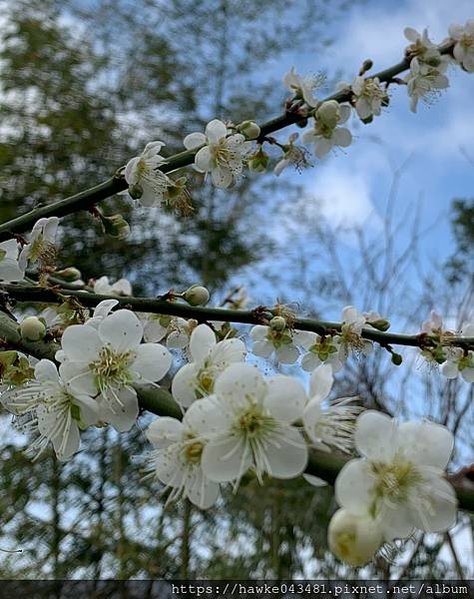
[86, 199]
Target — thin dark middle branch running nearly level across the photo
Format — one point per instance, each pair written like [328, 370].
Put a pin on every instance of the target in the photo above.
[25, 293]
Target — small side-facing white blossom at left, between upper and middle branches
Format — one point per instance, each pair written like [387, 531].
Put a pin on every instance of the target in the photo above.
[41, 246]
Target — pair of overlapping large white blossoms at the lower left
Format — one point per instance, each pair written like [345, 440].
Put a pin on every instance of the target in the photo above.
[100, 362]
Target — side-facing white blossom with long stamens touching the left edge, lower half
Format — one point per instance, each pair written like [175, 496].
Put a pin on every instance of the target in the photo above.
[56, 415]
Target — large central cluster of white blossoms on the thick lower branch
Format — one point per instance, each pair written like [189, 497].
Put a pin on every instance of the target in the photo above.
[237, 420]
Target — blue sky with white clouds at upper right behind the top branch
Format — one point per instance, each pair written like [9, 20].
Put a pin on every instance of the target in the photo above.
[354, 185]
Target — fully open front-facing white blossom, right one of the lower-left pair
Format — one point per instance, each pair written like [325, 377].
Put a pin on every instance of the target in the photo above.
[108, 360]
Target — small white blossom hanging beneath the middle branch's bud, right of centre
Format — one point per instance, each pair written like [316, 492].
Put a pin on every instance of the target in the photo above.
[284, 343]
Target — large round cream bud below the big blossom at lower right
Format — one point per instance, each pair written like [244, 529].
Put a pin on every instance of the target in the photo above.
[353, 539]
